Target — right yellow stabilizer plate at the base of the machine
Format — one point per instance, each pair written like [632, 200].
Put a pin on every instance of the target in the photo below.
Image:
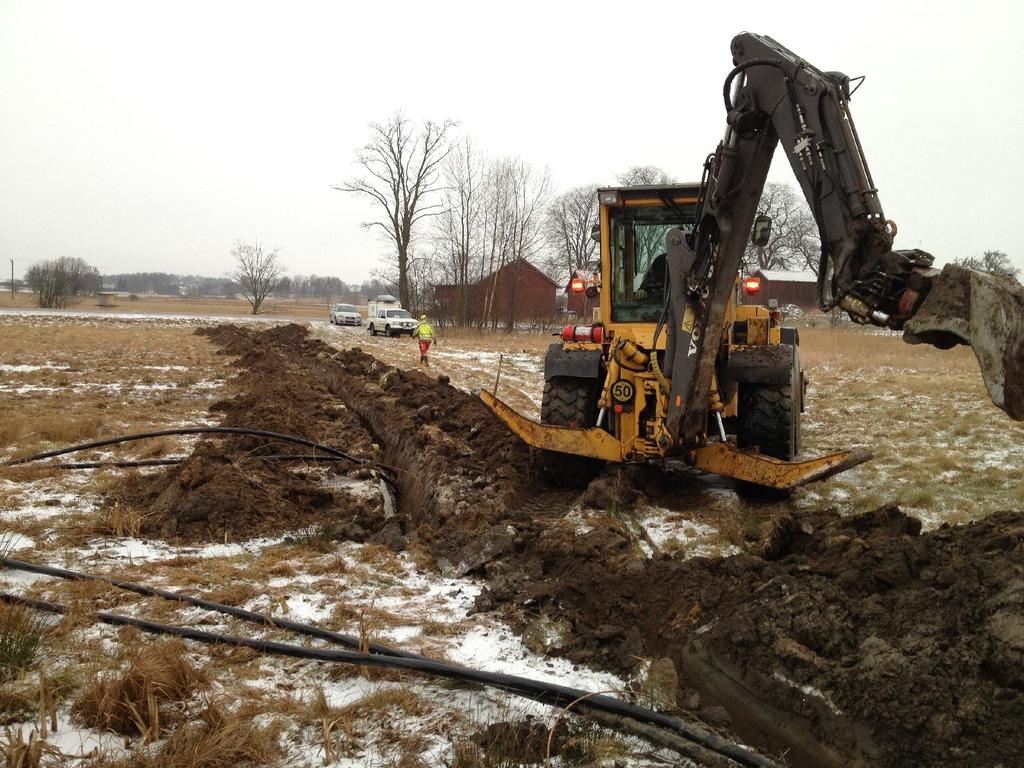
[730, 461]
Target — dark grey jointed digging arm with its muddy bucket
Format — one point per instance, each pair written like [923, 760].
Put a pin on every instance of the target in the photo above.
[775, 98]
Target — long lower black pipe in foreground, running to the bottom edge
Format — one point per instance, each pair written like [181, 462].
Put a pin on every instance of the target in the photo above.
[703, 741]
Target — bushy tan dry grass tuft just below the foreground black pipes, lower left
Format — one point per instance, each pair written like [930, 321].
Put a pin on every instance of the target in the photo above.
[131, 703]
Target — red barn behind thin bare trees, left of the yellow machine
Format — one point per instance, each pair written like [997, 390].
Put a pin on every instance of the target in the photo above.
[516, 293]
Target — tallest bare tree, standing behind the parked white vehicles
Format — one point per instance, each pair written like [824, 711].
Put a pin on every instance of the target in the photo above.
[402, 165]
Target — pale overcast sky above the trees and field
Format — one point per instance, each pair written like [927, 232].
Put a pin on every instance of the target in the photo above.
[148, 137]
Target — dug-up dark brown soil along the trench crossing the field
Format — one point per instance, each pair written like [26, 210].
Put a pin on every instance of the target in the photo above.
[832, 642]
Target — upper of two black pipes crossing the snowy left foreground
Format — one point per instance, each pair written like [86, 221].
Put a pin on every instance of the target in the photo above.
[232, 611]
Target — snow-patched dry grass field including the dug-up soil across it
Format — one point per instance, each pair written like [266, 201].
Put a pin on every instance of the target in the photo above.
[475, 563]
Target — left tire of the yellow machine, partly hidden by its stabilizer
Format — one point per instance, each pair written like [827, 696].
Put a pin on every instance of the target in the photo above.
[569, 402]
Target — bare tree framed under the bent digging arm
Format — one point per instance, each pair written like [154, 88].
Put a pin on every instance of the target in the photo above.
[794, 242]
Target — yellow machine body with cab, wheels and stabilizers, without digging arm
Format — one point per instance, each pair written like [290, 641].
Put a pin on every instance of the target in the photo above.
[607, 394]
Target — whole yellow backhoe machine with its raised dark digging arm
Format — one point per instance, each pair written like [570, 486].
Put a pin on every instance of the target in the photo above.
[673, 365]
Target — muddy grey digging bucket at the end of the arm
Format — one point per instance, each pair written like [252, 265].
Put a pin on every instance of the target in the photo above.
[986, 313]
